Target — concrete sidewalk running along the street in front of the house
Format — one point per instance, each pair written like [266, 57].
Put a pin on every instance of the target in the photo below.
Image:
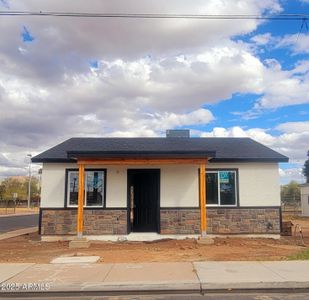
[166, 277]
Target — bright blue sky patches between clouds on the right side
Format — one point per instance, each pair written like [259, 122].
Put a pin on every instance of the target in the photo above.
[288, 60]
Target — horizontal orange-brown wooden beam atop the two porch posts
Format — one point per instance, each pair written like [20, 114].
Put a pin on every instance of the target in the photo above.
[141, 161]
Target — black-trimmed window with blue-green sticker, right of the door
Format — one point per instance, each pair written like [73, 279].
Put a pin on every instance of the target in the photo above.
[221, 188]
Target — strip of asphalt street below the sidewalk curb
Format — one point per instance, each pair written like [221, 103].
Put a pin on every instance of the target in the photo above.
[215, 296]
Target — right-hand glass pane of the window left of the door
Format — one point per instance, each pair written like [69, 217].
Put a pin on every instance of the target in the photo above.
[94, 188]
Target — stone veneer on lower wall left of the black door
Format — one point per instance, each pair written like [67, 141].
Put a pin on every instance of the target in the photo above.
[96, 221]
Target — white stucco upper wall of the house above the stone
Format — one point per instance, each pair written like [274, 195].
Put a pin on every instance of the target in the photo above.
[258, 182]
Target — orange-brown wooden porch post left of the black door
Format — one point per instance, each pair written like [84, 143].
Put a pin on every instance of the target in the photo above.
[81, 196]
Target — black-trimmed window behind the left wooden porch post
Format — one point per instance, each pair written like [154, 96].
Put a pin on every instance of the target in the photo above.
[94, 188]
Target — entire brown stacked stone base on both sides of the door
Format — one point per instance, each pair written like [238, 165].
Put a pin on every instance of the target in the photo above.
[172, 221]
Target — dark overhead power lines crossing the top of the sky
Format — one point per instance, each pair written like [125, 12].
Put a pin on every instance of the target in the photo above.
[286, 17]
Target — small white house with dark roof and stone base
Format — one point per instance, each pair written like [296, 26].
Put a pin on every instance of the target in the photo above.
[116, 186]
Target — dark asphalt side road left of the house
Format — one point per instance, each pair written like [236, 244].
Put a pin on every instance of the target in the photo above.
[11, 223]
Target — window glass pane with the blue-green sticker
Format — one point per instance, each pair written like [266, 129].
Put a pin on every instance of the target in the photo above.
[227, 188]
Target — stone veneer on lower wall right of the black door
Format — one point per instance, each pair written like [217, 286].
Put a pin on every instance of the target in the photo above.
[222, 220]
